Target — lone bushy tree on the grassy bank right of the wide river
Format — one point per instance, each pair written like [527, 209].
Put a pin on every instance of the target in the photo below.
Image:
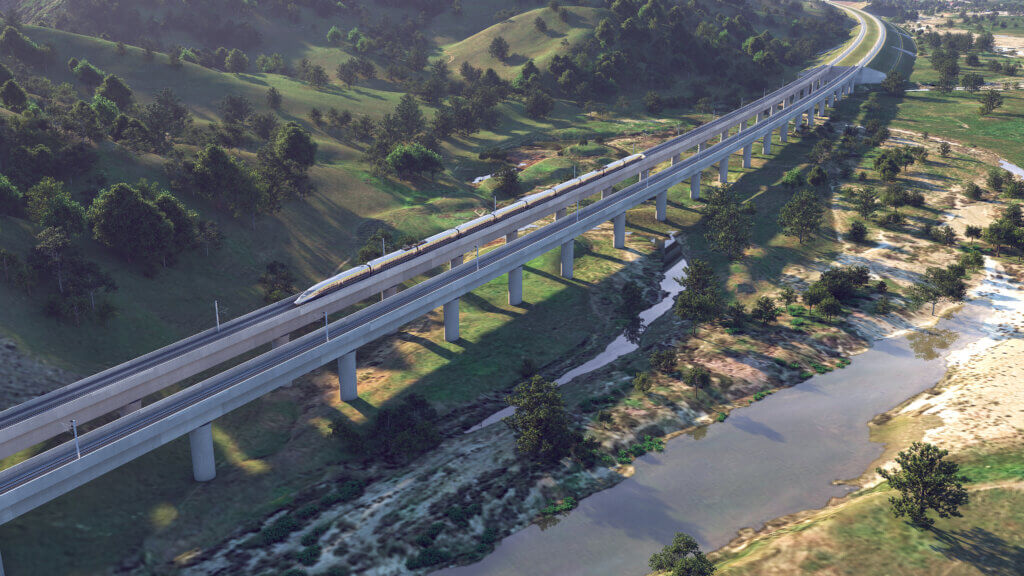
[926, 482]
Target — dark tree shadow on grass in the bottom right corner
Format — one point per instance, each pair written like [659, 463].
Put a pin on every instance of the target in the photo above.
[989, 553]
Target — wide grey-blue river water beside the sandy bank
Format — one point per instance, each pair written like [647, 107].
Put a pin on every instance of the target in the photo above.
[781, 456]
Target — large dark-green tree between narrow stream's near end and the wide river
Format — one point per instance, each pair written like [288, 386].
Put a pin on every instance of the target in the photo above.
[541, 424]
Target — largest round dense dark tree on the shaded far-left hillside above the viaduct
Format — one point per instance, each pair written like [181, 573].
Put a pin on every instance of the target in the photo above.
[132, 226]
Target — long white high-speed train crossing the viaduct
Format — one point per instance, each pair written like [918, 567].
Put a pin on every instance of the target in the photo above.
[388, 261]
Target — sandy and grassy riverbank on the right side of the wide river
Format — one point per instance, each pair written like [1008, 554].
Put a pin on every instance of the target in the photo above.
[977, 414]
